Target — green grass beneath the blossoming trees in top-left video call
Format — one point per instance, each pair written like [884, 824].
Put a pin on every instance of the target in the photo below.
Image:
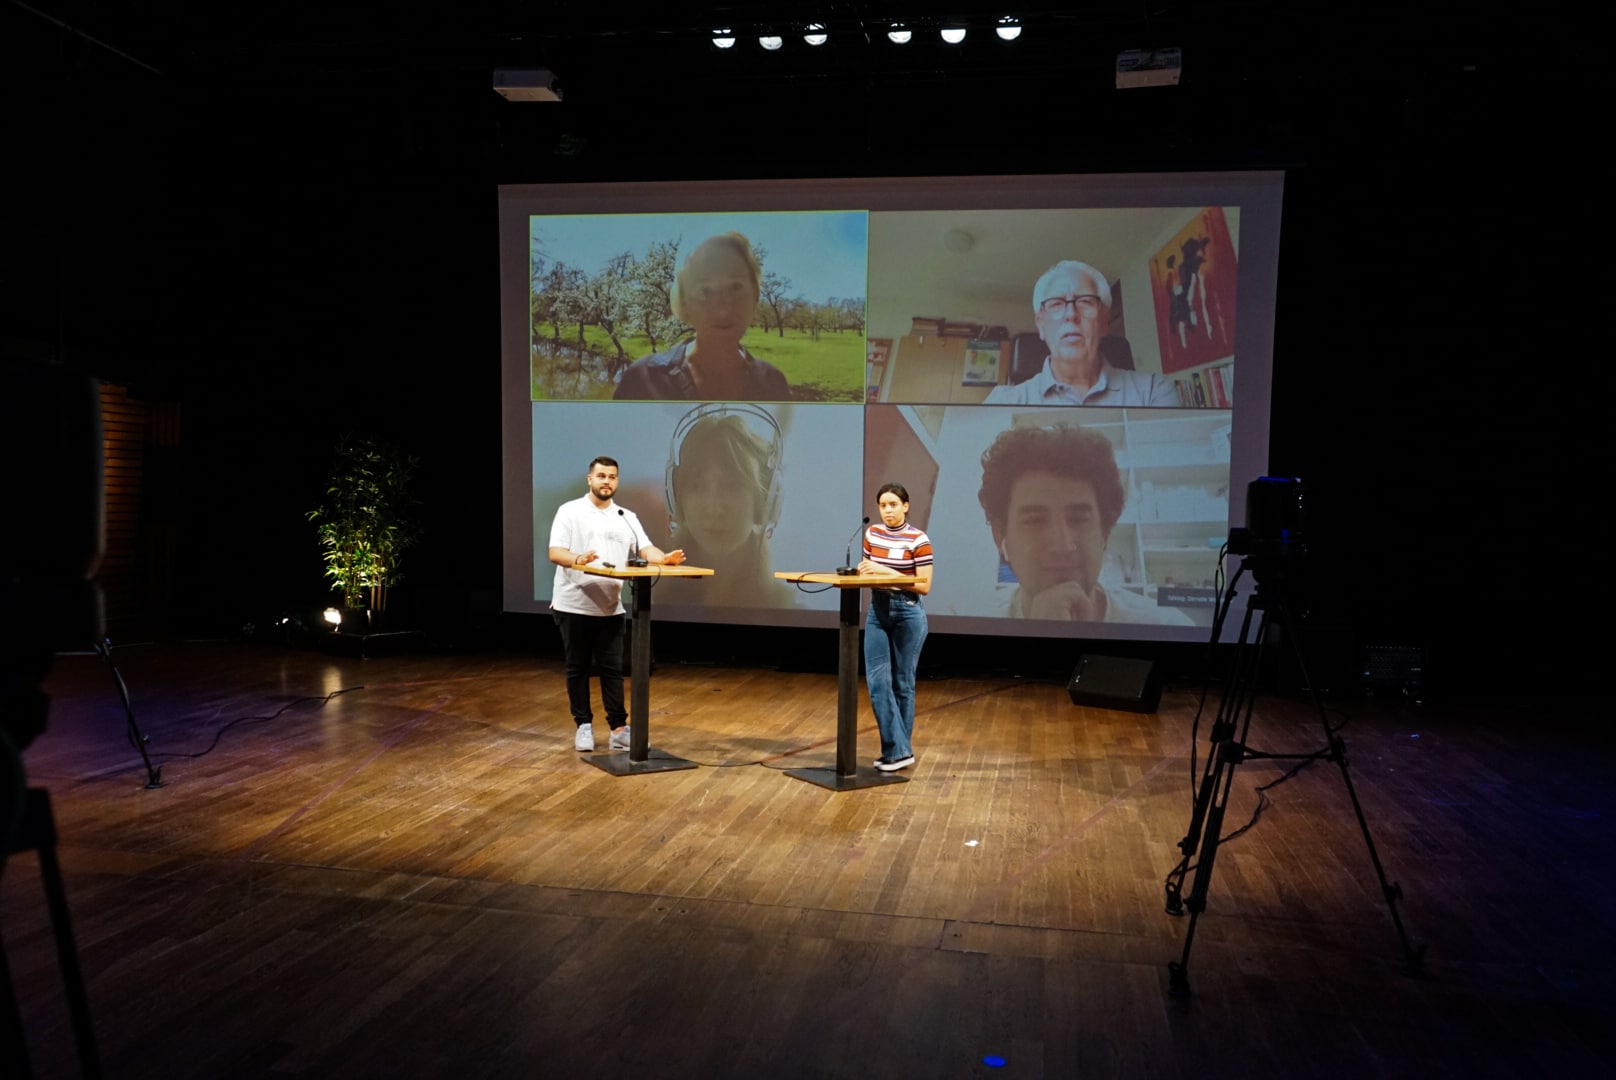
[830, 369]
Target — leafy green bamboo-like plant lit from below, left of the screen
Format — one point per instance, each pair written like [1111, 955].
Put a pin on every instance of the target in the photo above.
[366, 525]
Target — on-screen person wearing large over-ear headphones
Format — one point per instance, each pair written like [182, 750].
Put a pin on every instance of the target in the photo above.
[725, 500]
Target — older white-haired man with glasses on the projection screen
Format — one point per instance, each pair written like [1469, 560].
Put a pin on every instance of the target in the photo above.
[1072, 311]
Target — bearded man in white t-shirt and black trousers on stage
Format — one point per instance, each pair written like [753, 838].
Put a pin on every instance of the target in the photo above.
[587, 607]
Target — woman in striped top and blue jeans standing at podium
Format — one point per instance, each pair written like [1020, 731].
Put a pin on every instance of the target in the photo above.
[898, 623]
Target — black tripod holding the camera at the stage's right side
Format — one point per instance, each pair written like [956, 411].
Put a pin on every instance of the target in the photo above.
[1227, 751]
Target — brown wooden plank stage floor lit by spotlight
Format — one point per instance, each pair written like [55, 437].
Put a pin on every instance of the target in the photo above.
[400, 867]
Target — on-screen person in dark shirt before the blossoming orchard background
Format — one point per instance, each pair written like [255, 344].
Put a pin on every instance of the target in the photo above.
[715, 295]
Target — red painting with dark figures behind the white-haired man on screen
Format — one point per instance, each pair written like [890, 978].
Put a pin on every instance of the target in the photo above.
[1193, 285]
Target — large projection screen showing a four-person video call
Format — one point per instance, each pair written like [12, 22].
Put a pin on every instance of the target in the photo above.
[888, 313]
